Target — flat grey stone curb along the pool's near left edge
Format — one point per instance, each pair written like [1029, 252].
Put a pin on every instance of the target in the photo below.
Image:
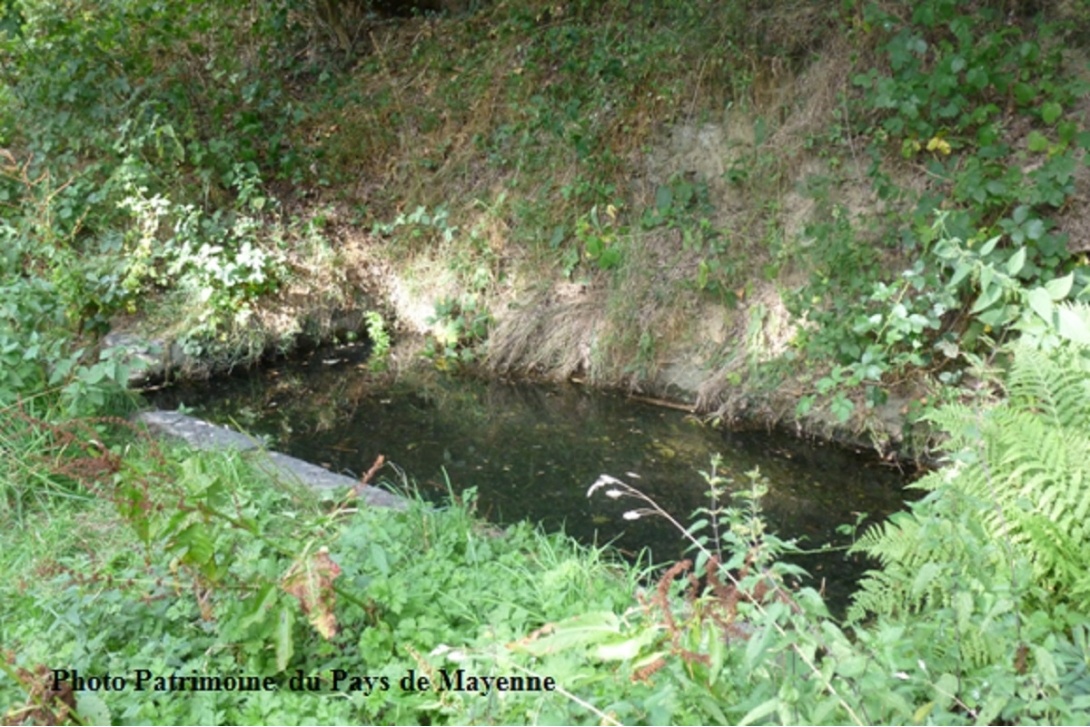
[202, 435]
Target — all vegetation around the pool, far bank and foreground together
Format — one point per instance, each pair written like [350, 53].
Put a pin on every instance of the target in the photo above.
[152, 157]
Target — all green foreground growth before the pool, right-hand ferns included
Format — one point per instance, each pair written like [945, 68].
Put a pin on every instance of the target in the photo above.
[200, 565]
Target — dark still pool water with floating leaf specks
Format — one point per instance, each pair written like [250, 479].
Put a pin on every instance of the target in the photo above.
[534, 451]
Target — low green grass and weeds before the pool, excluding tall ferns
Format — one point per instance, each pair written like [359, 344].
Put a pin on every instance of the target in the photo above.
[195, 564]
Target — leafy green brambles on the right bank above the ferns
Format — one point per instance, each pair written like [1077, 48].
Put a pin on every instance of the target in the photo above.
[952, 82]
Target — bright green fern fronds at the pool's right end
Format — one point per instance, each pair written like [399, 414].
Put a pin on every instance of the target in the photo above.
[1023, 469]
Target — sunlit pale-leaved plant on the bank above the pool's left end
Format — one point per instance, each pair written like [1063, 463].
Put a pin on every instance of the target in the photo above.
[220, 259]
